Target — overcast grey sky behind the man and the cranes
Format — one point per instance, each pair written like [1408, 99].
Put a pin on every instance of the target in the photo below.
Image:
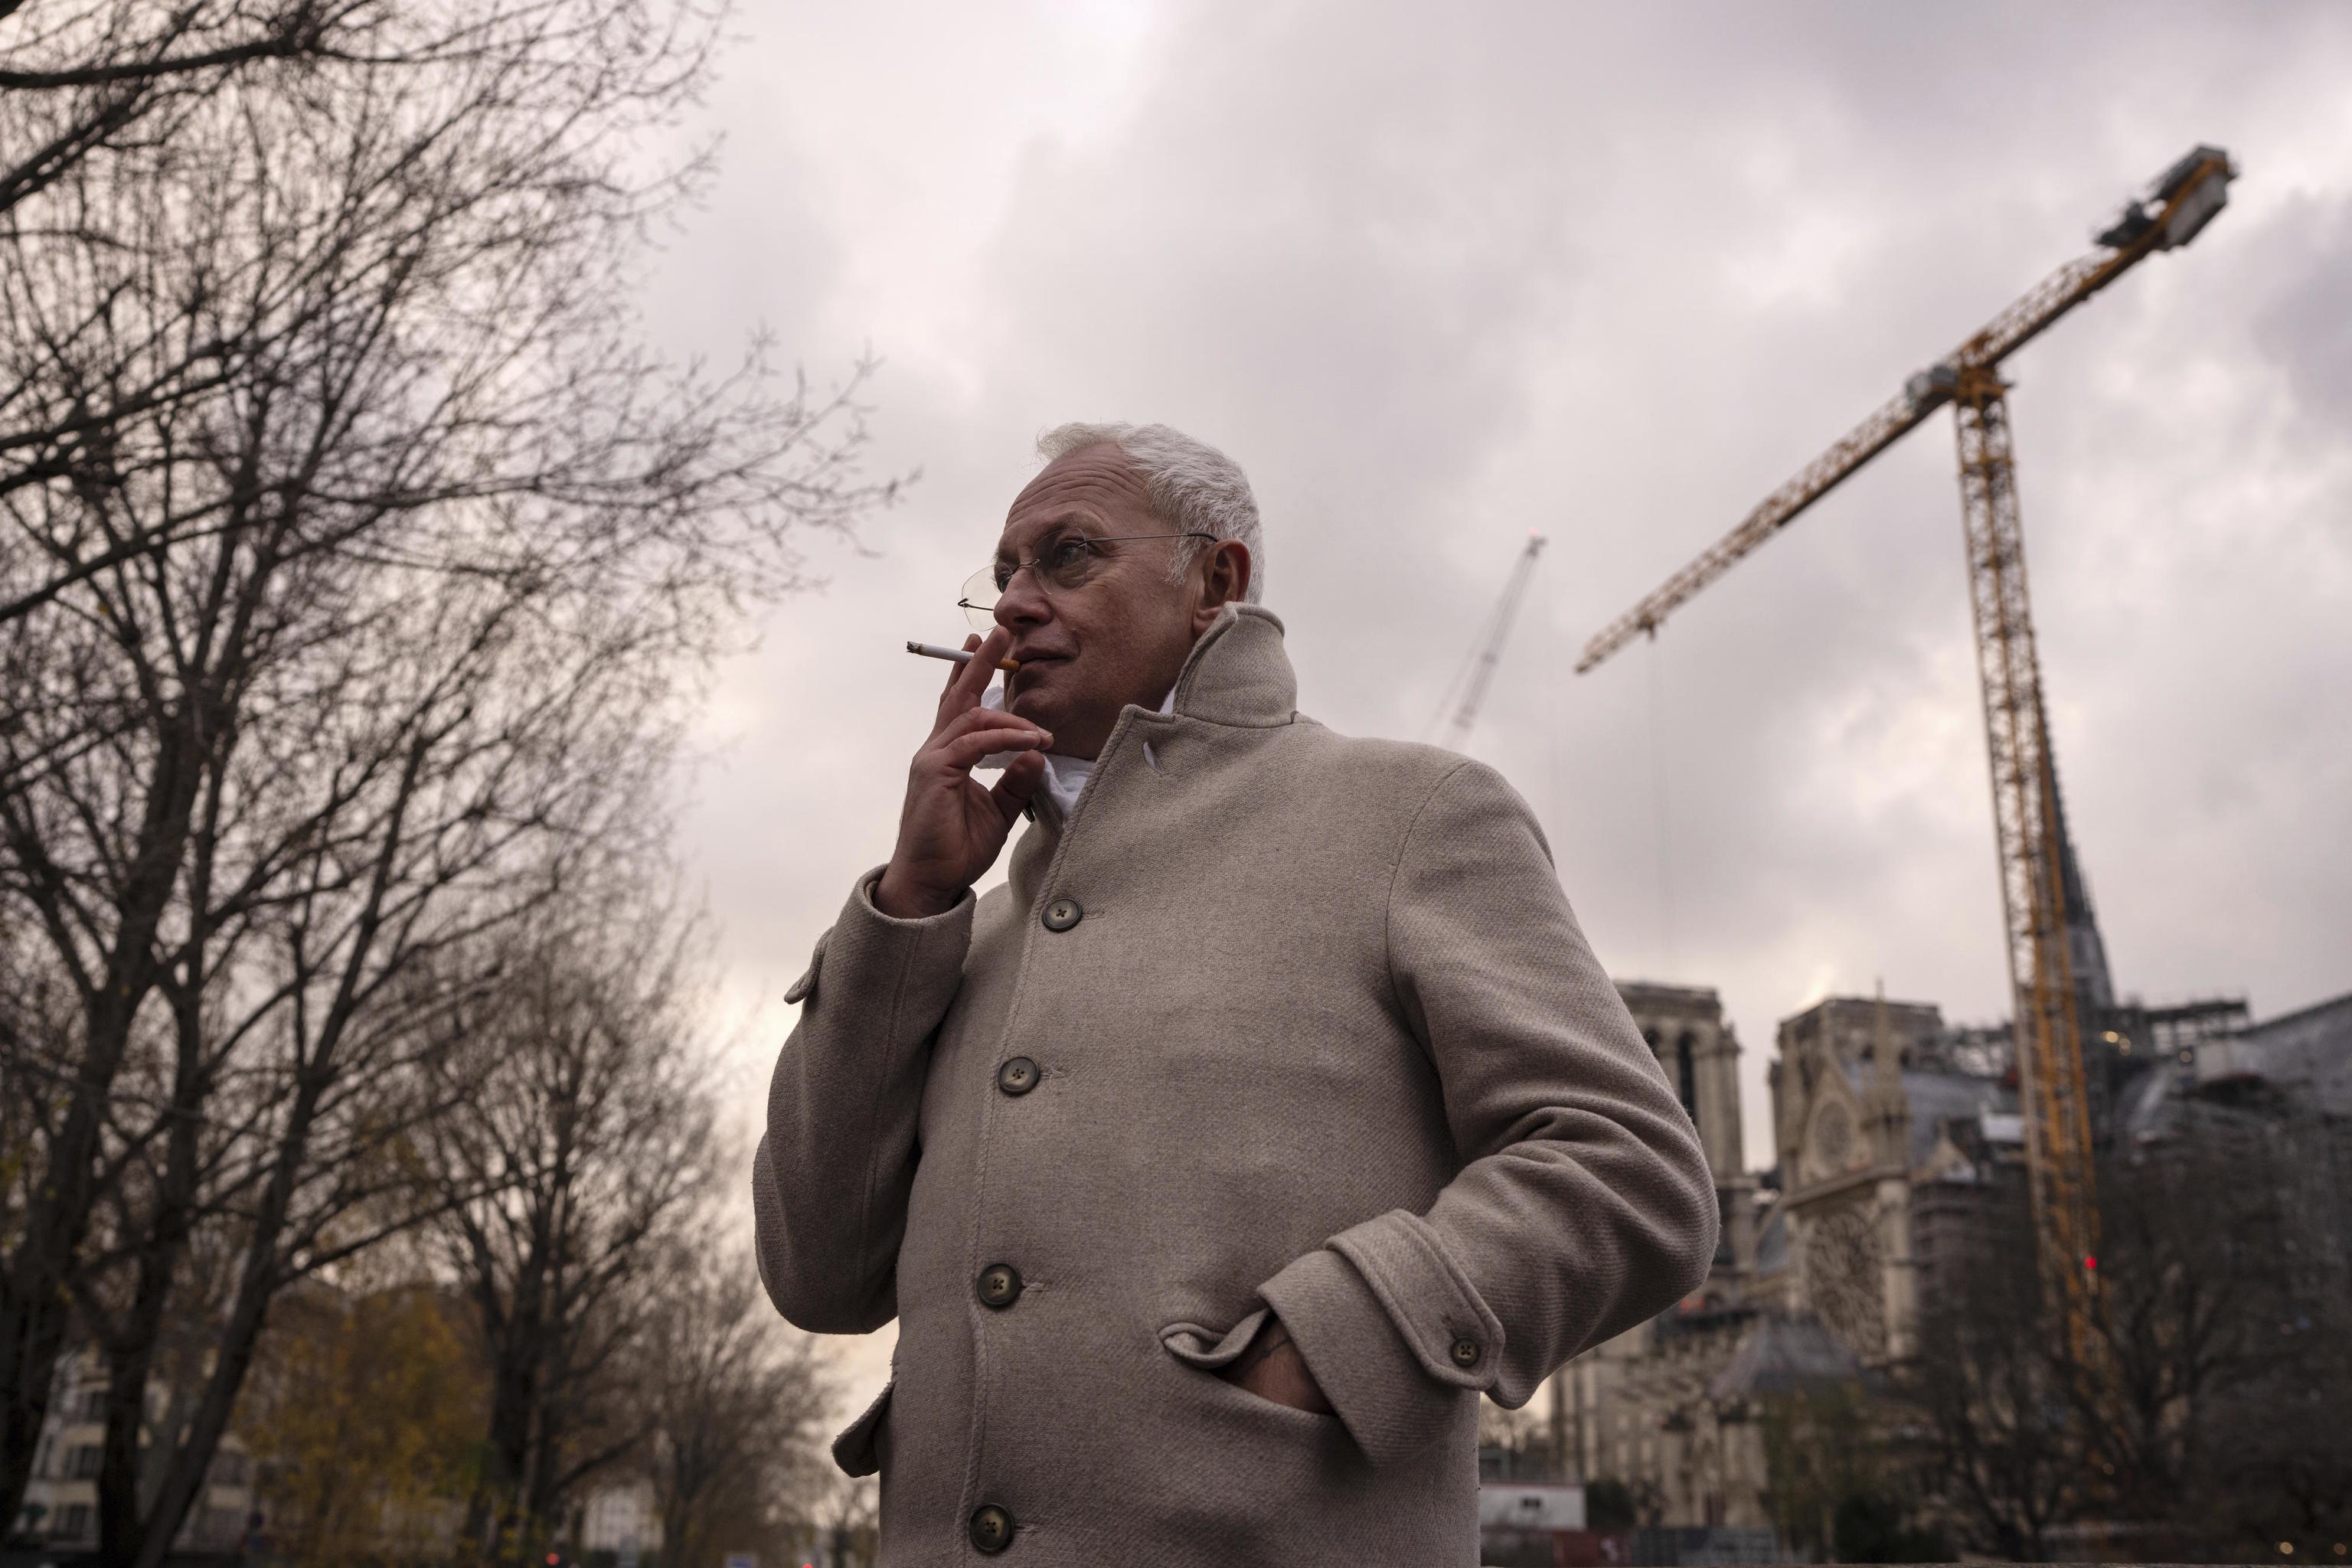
[1438, 276]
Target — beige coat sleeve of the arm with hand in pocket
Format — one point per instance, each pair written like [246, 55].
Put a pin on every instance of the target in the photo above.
[1584, 1200]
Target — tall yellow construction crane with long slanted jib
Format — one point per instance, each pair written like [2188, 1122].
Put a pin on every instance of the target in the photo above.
[2026, 810]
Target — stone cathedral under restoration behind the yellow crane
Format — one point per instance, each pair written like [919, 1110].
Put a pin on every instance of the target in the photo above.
[1892, 1137]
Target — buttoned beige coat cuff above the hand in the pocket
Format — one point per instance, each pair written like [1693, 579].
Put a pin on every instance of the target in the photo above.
[1391, 1407]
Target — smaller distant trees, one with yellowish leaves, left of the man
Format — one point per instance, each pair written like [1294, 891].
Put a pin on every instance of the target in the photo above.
[568, 1315]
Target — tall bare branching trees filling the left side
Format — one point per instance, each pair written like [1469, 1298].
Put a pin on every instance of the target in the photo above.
[356, 575]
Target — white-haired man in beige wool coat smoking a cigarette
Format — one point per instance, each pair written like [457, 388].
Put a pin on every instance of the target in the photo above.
[1269, 1115]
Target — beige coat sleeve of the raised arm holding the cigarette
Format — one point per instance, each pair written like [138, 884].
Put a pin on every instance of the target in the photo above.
[836, 1162]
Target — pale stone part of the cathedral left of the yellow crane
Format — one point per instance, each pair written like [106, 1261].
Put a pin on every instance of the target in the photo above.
[1890, 1127]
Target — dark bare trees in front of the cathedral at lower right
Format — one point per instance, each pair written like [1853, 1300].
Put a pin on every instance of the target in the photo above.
[2203, 1421]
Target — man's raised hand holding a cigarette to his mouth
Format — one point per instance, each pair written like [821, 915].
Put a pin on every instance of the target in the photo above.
[951, 826]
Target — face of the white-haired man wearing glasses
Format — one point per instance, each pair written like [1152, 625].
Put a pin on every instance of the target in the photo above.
[1116, 638]
